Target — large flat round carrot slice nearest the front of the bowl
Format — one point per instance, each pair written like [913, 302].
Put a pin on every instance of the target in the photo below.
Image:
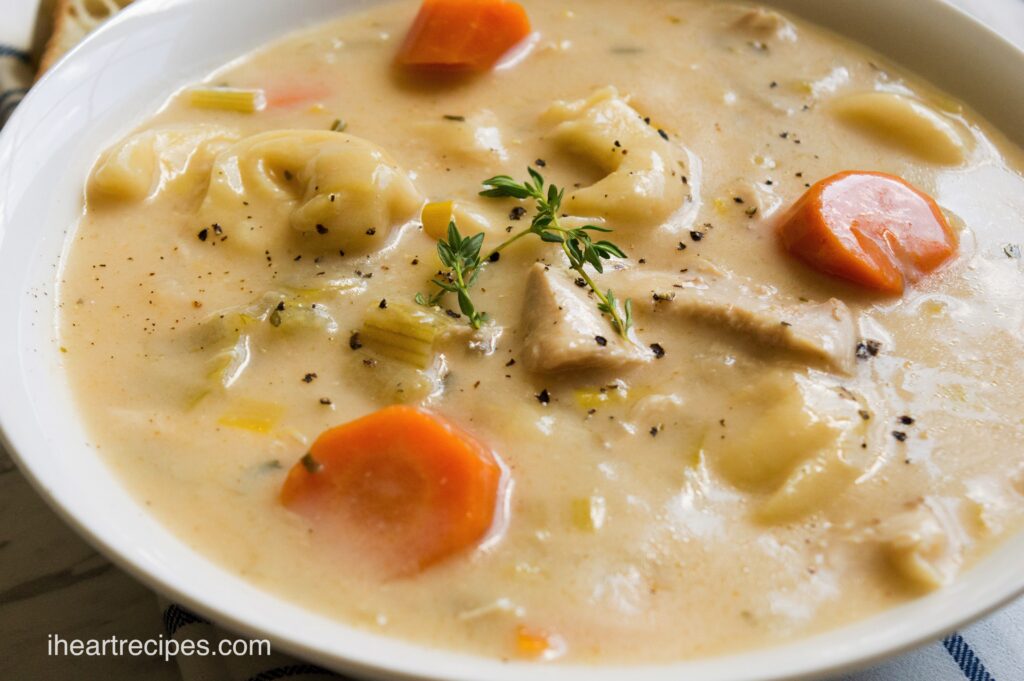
[407, 486]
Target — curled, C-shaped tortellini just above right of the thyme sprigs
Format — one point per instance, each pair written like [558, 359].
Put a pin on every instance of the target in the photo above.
[645, 185]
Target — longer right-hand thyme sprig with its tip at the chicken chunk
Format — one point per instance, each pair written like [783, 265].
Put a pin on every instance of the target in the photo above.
[578, 244]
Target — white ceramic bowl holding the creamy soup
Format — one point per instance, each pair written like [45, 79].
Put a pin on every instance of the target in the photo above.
[120, 76]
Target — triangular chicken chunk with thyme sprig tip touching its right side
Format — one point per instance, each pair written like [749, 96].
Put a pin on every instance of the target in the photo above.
[565, 330]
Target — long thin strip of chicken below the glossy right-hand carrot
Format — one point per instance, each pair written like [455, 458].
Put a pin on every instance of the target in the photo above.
[826, 333]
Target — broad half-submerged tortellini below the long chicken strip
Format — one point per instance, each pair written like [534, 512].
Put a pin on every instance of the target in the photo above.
[792, 441]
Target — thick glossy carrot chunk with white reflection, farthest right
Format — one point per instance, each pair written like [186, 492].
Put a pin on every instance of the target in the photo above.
[871, 229]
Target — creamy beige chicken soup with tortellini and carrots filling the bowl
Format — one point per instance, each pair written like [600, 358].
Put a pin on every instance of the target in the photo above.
[772, 439]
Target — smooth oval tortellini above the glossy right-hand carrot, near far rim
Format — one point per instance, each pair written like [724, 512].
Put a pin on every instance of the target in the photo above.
[905, 123]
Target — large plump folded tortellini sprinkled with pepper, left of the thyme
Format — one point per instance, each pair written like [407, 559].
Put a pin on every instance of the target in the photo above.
[342, 193]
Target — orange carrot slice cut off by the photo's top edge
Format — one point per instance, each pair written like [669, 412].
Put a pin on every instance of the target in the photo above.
[463, 34]
